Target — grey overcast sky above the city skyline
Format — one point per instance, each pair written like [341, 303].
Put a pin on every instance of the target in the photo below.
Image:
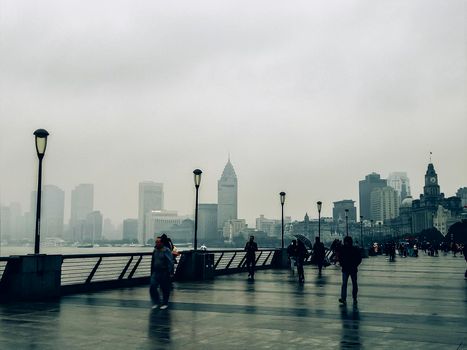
[307, 96]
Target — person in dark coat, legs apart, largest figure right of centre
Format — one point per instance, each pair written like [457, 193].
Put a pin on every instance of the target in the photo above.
[349, 259]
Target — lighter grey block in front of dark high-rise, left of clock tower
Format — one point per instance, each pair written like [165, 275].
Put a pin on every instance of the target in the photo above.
[384, 203]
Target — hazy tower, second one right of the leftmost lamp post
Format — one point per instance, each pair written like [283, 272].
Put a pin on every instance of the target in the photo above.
[82, 204]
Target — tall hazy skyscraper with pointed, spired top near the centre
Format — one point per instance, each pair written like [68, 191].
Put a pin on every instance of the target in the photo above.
[227, 196]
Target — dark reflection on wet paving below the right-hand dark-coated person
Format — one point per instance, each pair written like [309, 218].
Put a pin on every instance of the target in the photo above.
[350, 336]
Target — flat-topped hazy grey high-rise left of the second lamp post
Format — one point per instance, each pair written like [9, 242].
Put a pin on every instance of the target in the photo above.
[151, 197]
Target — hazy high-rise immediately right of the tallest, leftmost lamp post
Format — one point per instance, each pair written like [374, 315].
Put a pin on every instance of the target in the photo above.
[52, 214]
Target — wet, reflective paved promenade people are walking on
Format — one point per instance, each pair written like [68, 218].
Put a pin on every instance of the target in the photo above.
[414, 303]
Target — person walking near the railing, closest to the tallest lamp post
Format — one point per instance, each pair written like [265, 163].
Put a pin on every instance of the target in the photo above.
[162, 269]
